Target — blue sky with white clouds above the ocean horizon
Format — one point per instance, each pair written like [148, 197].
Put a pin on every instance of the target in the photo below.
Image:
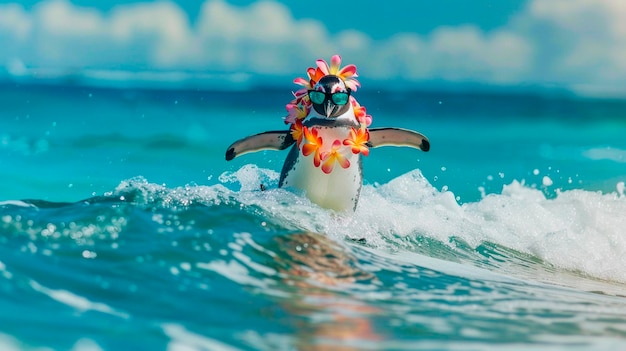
[578, 45]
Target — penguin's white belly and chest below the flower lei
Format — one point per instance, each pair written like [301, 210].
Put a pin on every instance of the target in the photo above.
[339, 189]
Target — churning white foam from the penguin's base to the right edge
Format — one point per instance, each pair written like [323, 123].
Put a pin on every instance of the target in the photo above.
[578, 230]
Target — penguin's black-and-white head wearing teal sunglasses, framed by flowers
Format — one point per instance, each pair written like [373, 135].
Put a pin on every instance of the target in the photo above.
[330, 97]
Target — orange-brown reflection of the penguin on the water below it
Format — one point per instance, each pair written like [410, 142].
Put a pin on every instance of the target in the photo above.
[321, 275]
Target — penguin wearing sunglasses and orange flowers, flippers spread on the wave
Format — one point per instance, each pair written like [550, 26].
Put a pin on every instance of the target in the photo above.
[328, 137]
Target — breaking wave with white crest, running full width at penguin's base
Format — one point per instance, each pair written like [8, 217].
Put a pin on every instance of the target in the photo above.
[518, 230]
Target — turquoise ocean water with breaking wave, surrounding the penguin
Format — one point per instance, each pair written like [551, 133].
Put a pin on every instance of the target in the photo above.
[122, 227]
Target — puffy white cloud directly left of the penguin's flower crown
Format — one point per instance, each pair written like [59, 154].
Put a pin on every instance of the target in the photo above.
[262, 38]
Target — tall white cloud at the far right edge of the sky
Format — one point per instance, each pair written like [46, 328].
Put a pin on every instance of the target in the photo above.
[579, 43]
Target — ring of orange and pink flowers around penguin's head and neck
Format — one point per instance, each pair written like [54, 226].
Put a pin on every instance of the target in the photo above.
[307, 139]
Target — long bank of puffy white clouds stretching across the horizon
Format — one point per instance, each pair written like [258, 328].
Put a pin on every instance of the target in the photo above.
[571, 43]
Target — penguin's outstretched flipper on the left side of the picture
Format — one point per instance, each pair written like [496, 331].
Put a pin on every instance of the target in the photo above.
[274, 140]
